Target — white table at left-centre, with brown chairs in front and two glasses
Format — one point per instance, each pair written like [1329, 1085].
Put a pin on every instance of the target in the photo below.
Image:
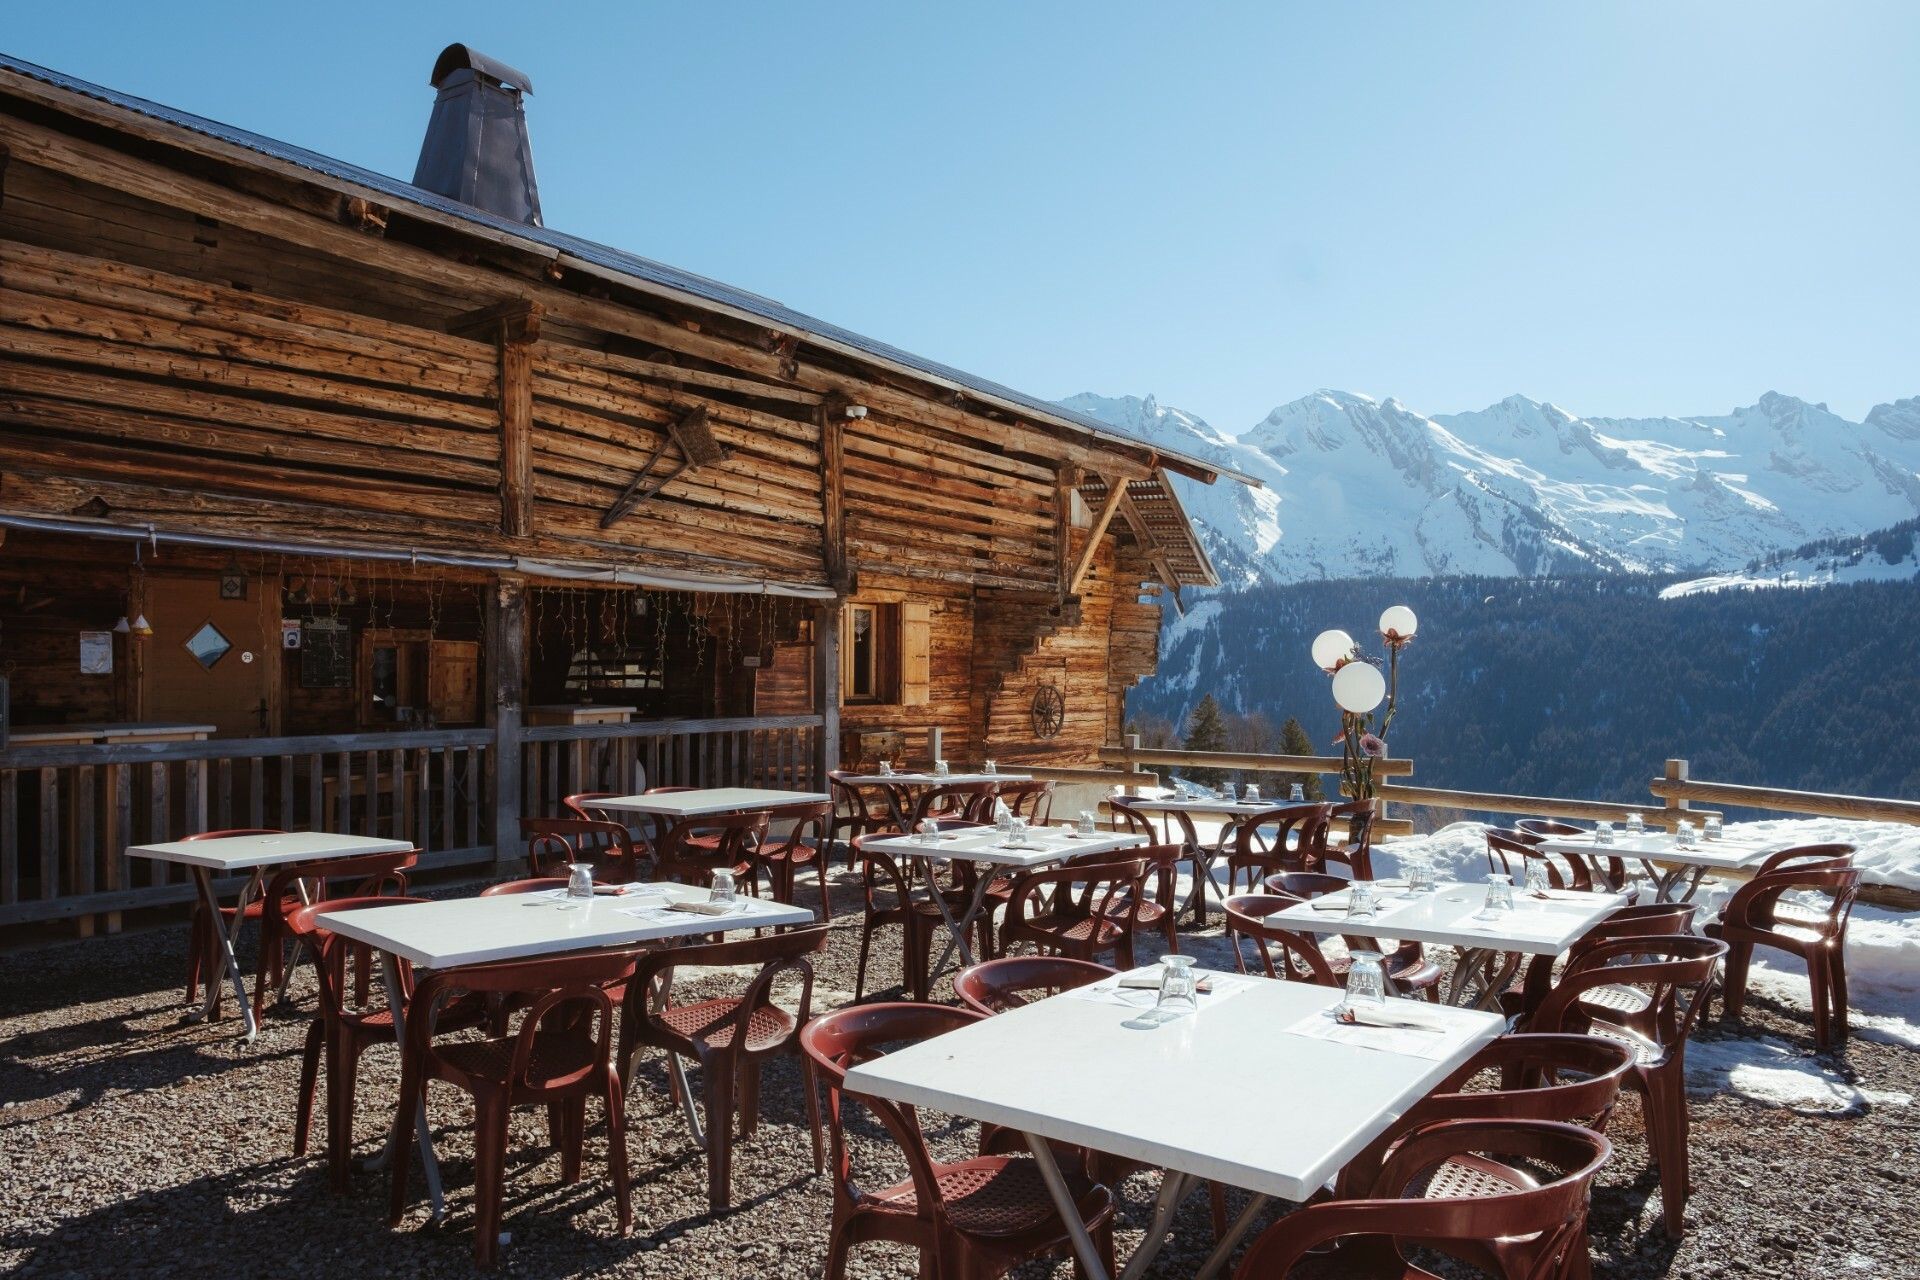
[471, 932]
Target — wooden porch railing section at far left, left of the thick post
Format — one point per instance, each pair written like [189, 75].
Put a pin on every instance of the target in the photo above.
[70, 813]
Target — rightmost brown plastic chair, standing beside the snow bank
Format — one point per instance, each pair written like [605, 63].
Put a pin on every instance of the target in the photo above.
[1756, 916]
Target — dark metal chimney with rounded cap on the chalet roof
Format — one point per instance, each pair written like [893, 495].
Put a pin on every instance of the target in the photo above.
[475, 147]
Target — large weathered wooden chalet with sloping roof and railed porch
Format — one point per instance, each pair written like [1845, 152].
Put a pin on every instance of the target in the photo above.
[341, 502]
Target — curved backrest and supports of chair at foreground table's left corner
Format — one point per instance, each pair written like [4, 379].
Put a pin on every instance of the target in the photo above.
[844, 1039]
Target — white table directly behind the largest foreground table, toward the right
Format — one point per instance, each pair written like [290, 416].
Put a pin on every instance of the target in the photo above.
[1447, 916]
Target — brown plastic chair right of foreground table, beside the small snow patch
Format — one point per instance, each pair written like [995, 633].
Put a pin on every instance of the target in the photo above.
[1675, 974]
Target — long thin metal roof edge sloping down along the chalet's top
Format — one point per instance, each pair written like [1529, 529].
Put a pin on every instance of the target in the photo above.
[636, 270]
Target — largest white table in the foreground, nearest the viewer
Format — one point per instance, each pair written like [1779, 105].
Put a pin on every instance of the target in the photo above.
[1088, 1074]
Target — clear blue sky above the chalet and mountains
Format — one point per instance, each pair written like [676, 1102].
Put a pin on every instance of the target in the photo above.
[1625, 208]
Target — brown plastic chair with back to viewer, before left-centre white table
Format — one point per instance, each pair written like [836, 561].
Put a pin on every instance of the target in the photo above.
[560, 1056]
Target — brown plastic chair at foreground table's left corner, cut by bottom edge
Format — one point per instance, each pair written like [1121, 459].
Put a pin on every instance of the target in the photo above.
[971, 1220]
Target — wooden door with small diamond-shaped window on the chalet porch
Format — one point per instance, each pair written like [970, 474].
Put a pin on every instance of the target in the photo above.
[210, 661]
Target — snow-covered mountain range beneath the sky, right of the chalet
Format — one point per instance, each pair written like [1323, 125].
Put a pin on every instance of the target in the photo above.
[1366, 488]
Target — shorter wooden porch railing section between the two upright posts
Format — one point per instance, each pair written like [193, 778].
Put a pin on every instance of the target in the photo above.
[757, 751]
